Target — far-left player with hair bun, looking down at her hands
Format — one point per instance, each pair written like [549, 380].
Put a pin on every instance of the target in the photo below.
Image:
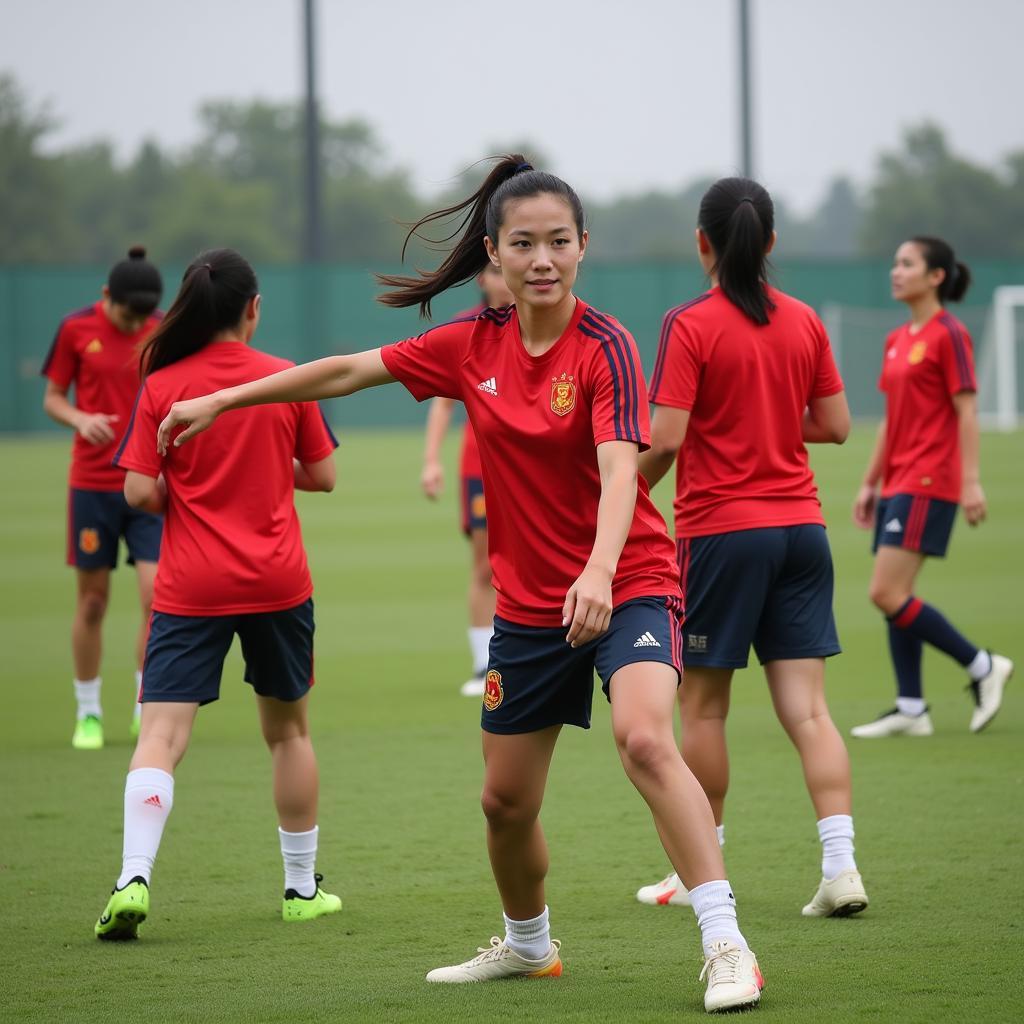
[97, 353]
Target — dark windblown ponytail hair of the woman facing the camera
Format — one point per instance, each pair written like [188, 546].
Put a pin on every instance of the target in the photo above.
[482, 215]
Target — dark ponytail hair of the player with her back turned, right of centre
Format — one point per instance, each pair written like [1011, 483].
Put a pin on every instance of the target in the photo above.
[739, 219]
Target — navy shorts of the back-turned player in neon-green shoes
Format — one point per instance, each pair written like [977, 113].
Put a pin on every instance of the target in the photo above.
[185, 657]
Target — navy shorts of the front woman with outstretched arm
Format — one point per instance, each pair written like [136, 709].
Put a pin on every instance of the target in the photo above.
[536, 680]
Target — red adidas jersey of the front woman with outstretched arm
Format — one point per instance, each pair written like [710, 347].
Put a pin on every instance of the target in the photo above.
[539, 421]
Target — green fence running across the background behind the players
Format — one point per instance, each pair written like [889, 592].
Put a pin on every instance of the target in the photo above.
[311, 312]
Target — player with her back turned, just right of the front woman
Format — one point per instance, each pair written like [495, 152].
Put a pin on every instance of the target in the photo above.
[745, 379]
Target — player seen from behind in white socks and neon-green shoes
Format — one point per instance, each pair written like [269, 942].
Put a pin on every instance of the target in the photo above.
[233, 564]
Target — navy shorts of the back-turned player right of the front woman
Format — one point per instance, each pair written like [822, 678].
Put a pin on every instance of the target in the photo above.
[772, 588]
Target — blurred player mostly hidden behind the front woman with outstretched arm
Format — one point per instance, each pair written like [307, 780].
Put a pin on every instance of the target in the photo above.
[495, 295]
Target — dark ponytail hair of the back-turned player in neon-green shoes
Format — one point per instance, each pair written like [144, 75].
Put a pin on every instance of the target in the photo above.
[217, 286]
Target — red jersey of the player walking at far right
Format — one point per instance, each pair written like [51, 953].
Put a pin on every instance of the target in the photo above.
[921, 373]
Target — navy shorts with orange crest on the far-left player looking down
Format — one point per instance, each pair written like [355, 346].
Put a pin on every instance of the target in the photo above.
[98, 521]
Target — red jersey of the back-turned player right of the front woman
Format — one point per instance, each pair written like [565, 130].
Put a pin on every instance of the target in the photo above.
[744, 464]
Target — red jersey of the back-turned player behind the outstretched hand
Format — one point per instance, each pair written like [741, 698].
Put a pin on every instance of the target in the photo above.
[232, 539]
